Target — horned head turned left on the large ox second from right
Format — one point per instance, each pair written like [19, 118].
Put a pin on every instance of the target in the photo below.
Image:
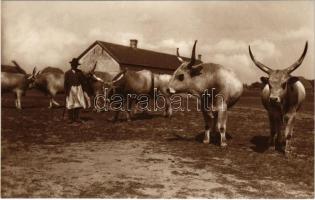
[183, 77]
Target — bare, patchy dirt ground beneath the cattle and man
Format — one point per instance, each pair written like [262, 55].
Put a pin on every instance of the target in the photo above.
[150, 157]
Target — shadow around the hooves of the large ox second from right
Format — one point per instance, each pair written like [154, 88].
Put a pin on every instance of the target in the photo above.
[214, 138]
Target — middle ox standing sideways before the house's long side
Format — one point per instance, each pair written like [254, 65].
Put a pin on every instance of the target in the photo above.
[131, 84]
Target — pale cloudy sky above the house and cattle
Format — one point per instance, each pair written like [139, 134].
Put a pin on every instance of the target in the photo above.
[51, 33]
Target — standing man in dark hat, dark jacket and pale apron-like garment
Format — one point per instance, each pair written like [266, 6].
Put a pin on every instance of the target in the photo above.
[76, 97]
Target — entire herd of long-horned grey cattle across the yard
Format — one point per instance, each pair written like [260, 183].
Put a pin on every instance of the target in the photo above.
[282, 93]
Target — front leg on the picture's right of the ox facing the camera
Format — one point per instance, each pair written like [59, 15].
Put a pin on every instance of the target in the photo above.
[288, 132]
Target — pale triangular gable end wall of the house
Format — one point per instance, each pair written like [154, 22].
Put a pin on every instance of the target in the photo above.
[105, 63]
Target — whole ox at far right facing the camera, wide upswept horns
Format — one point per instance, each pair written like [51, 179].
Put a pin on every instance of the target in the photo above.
[282, 97]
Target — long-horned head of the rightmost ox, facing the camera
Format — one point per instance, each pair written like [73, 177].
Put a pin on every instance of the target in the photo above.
[278, 80]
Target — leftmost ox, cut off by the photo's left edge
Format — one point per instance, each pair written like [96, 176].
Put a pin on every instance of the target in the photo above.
[16, 81]
